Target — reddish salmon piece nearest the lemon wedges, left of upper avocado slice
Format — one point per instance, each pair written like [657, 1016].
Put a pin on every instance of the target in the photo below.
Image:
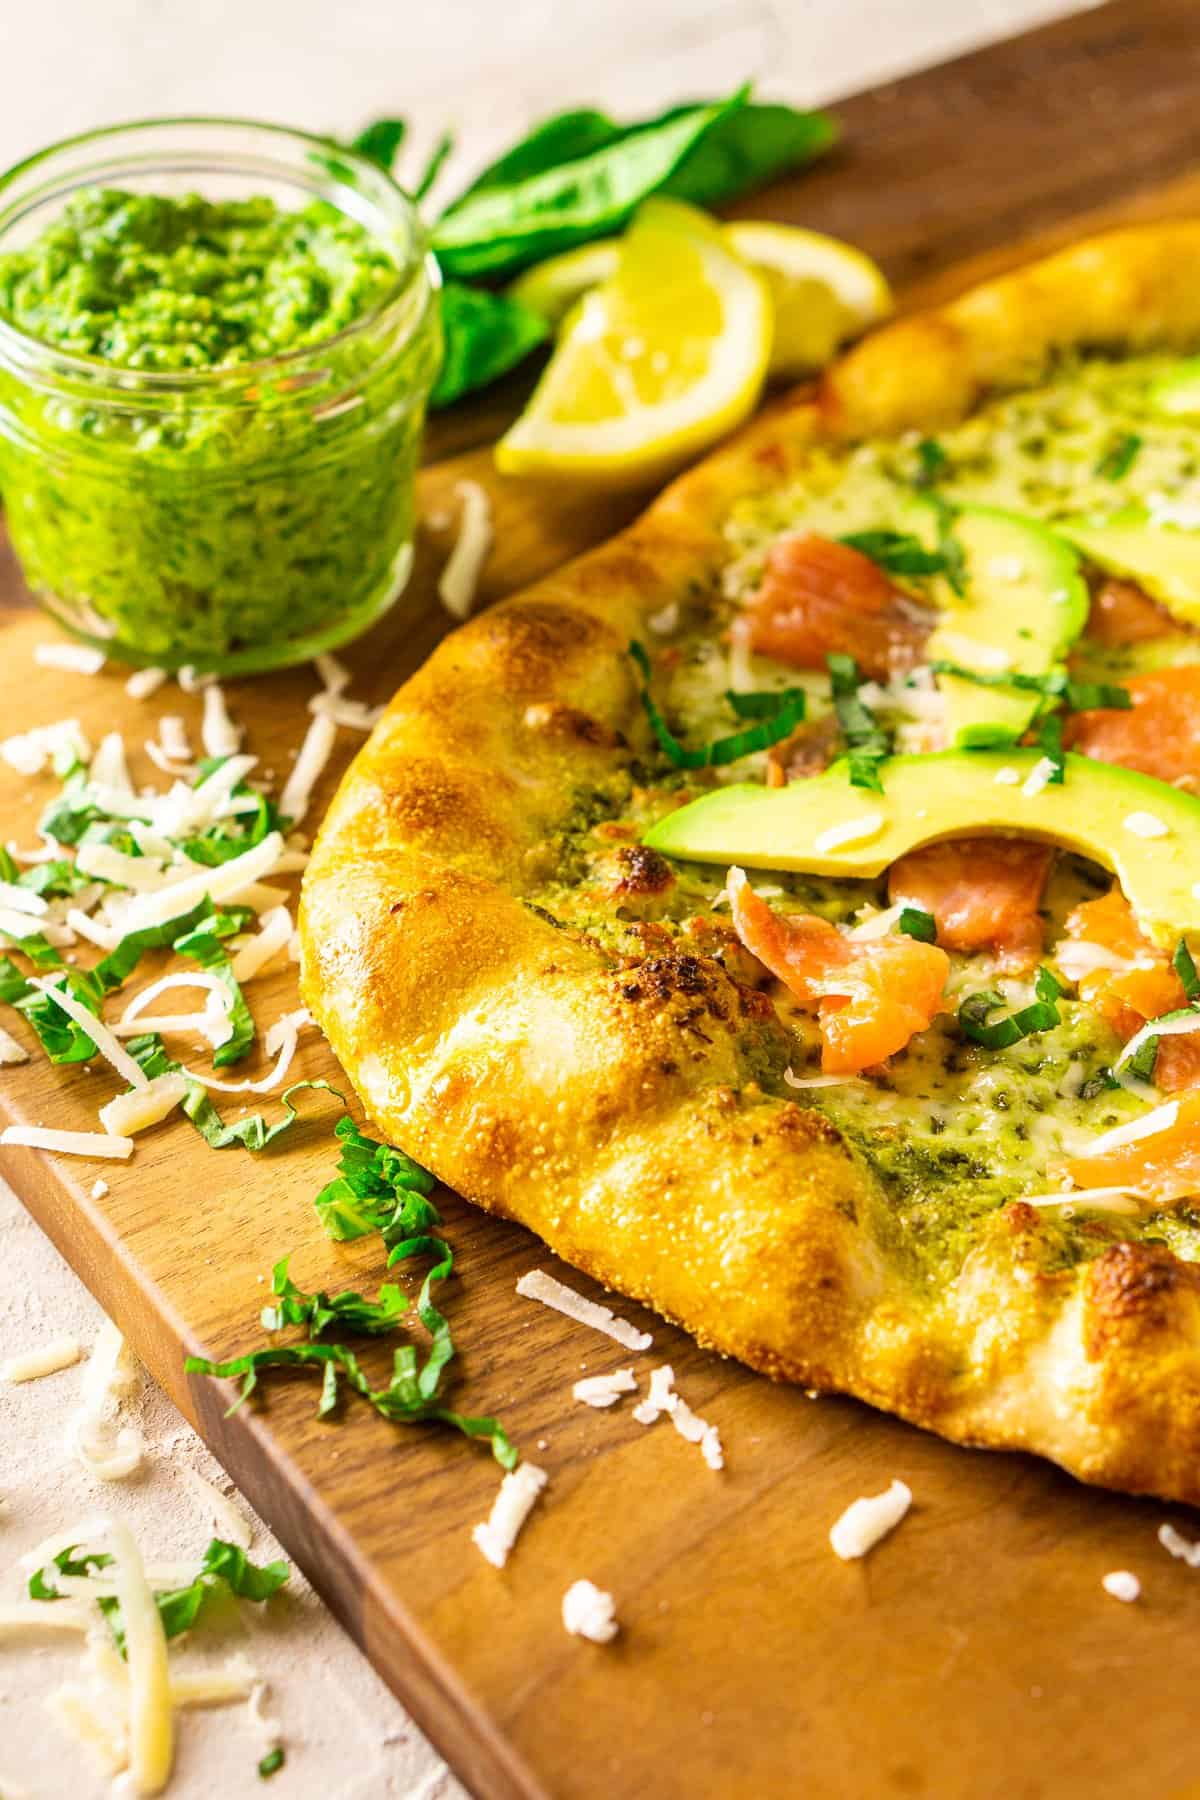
[821, 597]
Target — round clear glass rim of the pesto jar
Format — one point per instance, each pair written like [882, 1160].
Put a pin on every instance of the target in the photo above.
[420, 267]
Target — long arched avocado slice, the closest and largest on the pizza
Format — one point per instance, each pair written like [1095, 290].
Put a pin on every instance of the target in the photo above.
[1145, 831]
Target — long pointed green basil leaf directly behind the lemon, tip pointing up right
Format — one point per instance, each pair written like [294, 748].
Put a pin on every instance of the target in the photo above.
[501, 229]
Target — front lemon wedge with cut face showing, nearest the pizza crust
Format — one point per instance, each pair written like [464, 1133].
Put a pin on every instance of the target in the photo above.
[654, 364]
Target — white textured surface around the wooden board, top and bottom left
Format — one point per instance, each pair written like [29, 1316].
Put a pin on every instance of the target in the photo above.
[483, 67]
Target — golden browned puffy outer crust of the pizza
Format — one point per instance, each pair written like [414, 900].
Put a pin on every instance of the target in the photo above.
[614, 1111]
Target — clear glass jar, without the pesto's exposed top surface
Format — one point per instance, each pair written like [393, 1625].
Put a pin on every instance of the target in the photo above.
[240, 517]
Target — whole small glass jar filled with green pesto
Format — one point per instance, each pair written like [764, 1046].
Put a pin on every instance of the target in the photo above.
[217, 345]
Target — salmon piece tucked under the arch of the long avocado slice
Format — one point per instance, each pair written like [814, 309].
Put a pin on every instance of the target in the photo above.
[983, 892]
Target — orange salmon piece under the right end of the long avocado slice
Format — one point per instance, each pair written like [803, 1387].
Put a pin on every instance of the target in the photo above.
[1143, 987]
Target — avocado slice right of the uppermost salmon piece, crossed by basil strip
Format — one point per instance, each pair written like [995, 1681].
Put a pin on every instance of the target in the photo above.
[1023, 607]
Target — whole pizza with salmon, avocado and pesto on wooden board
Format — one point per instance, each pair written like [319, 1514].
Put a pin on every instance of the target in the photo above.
[785, 908]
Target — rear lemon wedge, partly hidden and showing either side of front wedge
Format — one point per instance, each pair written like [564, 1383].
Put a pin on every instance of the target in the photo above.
[825, 292]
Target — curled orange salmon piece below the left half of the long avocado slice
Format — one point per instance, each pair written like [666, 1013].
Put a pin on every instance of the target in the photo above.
[872, 996]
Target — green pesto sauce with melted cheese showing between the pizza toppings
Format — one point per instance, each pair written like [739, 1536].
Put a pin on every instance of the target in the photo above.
[949, 1129]
